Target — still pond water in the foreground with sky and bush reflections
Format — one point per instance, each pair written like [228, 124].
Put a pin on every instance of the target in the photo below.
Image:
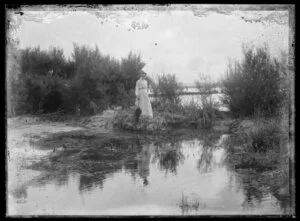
[142, 177]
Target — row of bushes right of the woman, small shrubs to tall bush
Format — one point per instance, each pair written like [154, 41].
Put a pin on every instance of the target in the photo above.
[255, 85]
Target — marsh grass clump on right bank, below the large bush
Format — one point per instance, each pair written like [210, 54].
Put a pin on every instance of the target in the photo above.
[263, 147]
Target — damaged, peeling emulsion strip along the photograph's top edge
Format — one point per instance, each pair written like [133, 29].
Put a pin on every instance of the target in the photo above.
[122, 14]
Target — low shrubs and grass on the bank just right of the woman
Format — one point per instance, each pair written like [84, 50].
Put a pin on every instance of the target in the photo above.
[194, 114]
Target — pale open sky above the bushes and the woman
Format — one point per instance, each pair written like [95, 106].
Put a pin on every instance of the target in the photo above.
[169, 41]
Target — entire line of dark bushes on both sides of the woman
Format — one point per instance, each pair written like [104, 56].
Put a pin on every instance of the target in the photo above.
[44, 81]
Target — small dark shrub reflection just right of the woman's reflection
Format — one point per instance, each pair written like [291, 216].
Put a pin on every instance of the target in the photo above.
[169, 156]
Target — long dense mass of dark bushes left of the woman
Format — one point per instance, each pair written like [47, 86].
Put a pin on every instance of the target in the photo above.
[40, 81]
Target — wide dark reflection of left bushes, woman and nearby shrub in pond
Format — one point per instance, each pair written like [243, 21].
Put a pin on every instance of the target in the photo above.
[91, 155]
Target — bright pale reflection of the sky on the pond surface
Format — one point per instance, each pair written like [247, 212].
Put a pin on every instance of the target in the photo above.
[121, 194]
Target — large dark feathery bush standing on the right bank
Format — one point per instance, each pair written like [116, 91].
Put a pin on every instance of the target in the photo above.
[256, 84]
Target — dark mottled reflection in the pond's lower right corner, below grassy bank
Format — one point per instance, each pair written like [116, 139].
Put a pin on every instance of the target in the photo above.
[257, 184]
